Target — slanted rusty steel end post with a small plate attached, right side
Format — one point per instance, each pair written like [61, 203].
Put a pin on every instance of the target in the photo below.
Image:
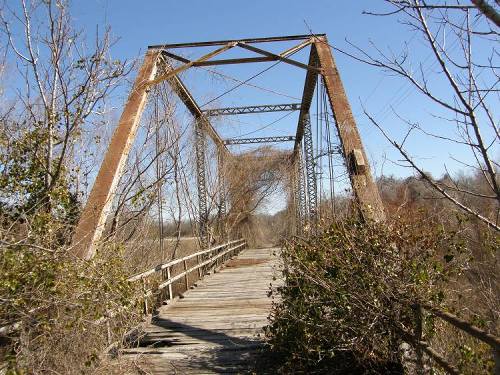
[363, 185]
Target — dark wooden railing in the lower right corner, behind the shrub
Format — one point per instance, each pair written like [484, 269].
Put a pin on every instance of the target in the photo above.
[422, 346]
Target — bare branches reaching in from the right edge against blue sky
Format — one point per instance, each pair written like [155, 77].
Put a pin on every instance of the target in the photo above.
[451, 33]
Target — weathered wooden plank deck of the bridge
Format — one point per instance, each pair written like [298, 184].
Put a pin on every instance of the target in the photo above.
[217, 326]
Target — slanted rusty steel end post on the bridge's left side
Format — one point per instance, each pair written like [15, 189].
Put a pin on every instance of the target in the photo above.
[93, 218]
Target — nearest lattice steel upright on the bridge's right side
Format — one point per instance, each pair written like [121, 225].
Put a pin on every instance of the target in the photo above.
[312, 191]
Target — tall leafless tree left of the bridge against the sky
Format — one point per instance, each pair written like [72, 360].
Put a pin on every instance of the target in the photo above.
[66, 82]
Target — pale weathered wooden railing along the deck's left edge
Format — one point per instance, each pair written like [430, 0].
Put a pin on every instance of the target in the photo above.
[161, 277]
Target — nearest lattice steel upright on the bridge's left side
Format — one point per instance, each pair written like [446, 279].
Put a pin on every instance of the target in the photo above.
[202, 184]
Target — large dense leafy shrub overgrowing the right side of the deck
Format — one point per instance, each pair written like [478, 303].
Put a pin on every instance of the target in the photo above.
[349, 292]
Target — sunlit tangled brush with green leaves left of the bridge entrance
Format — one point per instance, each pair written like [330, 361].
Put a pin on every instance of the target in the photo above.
[60, 301]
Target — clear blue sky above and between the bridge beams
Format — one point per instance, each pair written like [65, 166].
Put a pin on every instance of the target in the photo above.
[139, 24]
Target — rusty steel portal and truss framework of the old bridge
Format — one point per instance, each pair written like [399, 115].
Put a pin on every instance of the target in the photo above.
[156, 68]
